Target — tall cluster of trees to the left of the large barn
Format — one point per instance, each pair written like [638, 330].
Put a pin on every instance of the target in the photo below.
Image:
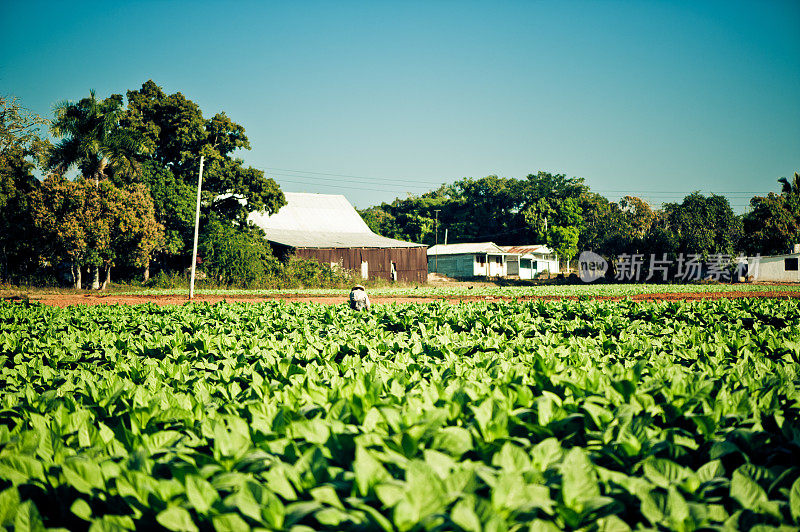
[132, 202]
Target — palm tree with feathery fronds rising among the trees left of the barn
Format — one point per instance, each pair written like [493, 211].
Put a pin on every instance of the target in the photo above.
[93, 141]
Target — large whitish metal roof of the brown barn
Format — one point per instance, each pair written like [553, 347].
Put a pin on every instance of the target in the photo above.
[321, 221]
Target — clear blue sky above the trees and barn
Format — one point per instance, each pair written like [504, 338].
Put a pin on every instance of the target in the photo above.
[653, 98]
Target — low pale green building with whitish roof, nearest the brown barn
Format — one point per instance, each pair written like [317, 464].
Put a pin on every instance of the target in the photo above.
[484, 259]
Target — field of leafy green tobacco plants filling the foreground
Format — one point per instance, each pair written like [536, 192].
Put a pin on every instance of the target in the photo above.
[482, 416]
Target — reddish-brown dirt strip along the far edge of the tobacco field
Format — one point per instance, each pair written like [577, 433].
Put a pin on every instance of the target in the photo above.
[63, 300]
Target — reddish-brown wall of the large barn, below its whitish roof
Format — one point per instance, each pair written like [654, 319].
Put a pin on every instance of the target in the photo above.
[411, 263]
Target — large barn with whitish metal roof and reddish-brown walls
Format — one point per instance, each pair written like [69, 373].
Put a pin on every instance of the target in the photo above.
[326, 228]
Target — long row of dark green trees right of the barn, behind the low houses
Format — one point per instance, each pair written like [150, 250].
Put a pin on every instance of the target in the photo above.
[562, 212]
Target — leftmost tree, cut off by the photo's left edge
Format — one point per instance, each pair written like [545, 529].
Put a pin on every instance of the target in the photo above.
[22, 146]
